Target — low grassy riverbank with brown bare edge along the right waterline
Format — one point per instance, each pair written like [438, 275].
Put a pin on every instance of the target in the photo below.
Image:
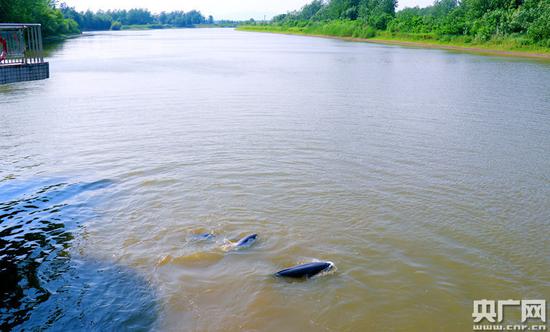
[502, 47]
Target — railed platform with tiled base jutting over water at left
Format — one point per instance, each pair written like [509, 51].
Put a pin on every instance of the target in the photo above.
[21, 53]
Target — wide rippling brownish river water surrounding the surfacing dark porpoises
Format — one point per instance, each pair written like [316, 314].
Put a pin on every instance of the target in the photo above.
[424, 175]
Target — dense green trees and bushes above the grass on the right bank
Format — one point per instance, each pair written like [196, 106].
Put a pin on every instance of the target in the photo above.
[476, 20]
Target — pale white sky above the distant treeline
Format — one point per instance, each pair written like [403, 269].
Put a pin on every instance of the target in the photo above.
[220, 9]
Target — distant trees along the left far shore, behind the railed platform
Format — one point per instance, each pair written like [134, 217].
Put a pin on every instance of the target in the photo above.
[63, 20]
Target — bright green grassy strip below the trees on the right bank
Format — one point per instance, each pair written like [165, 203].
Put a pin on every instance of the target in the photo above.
[354, 30]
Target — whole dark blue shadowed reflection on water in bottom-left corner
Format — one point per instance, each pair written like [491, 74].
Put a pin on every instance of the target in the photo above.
[43, 283]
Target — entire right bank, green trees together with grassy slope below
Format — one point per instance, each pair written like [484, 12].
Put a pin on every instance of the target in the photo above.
[500, 25]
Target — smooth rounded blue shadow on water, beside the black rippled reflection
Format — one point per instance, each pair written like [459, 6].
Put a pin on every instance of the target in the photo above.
[92, 295]
